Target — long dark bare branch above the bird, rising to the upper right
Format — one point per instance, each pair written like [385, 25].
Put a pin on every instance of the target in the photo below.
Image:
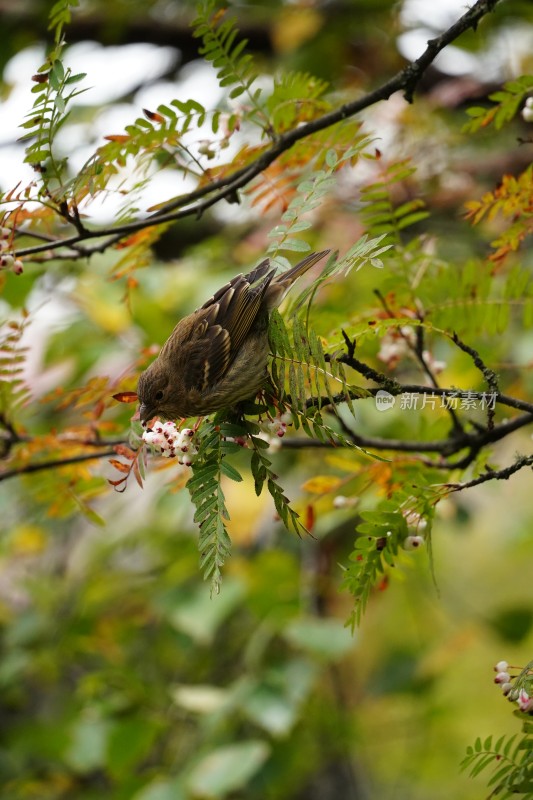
[198, 201]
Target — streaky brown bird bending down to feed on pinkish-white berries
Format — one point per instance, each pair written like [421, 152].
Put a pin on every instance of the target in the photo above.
[217, 356]
